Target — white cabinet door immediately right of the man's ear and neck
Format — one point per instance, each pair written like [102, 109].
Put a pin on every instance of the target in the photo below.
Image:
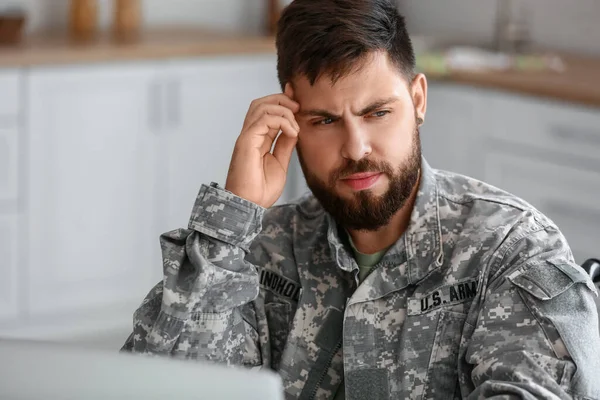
[451, 136]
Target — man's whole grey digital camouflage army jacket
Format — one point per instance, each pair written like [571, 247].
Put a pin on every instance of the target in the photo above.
[479, 298]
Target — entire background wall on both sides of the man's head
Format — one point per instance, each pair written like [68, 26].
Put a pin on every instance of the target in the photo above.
[560, 24]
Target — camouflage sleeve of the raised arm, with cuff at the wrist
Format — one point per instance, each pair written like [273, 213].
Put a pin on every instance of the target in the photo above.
[208, 306]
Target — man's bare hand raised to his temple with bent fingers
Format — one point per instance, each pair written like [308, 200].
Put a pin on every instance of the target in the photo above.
[255, 173]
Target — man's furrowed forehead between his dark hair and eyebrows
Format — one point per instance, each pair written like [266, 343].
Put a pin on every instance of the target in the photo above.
[373, 79]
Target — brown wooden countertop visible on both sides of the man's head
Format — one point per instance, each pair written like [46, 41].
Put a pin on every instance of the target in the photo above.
[580, 83]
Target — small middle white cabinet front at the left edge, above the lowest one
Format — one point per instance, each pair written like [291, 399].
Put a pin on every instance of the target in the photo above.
[9, 161]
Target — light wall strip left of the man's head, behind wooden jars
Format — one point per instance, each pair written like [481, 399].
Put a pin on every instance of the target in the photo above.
[237, 15]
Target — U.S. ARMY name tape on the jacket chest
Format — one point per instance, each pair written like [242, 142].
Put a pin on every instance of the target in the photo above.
[444, 296]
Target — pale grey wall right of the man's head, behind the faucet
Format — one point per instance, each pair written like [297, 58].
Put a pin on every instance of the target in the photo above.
[558, 24]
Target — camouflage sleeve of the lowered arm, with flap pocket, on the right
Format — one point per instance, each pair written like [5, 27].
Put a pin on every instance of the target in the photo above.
[536, 335]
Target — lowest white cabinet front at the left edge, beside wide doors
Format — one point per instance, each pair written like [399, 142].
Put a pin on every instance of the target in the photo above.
[9, 268]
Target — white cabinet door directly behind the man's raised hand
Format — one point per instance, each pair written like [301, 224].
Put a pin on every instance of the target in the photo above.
[207, 102]
